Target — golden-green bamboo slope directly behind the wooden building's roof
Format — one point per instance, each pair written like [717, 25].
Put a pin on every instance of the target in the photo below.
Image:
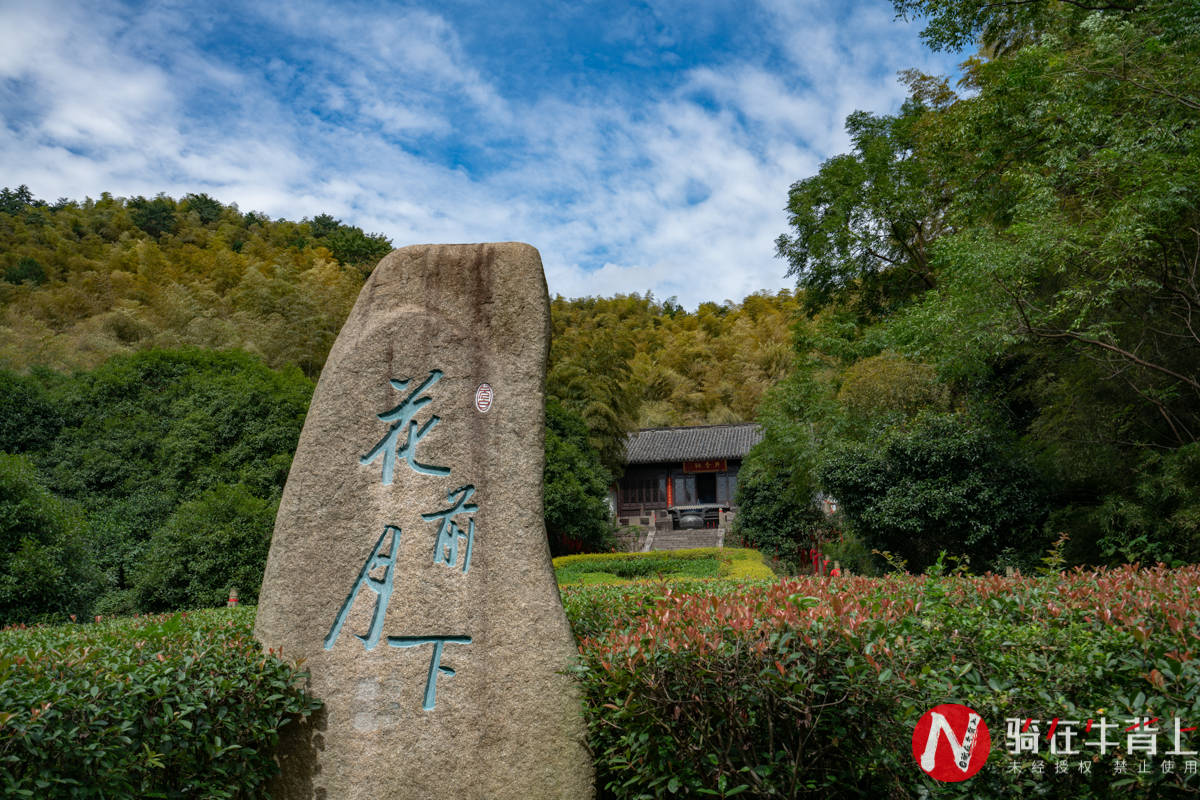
[632, 362]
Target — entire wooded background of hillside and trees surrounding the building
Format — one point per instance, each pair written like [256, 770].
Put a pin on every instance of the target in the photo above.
[993, 352]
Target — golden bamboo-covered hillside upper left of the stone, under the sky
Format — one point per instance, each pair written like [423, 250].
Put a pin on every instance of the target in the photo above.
[86, 281]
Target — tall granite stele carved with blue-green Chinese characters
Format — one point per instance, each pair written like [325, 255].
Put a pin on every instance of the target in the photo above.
[410, 564]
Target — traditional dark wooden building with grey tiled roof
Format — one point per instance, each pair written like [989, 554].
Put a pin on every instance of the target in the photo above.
[688, 477]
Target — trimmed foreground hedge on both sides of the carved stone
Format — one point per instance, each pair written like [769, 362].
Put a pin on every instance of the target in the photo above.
[703, 688]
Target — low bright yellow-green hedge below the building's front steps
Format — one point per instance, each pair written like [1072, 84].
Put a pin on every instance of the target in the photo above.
[698, 563]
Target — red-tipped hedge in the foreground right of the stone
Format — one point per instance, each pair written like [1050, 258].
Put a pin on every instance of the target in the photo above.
[813, 688]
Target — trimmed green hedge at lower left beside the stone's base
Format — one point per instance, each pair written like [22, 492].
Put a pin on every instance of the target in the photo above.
[166, 707]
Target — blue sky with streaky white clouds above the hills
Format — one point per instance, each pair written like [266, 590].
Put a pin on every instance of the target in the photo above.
[639, 146]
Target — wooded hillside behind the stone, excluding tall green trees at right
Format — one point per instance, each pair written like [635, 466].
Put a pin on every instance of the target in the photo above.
[158, 357]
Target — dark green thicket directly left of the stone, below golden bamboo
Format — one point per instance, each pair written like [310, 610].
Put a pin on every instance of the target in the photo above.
[142, 437]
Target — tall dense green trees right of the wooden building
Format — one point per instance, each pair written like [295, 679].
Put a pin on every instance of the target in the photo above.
[1022, 256]
